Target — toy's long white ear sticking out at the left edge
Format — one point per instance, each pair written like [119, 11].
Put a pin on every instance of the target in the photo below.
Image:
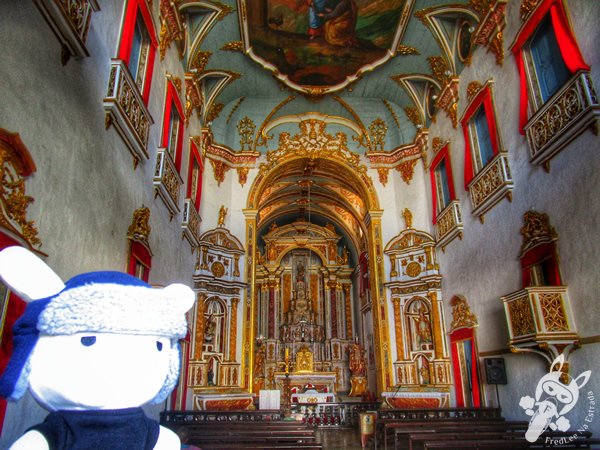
[27, 275]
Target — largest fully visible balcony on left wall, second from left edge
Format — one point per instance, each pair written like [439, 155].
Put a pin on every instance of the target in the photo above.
[125, 109]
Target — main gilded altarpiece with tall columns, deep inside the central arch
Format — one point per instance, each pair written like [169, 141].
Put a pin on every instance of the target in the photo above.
[303, 289]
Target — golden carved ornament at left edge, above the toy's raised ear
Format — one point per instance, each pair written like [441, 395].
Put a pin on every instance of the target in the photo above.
[15, 164]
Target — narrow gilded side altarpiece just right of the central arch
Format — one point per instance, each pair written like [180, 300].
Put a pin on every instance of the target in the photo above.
[422, 367]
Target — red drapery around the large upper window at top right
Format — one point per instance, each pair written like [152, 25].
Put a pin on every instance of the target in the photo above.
[566, 42]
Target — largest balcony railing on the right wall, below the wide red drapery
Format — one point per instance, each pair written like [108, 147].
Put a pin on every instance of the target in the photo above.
[566, 115]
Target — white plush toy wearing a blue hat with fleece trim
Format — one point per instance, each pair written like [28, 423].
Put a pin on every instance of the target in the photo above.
[93, 351]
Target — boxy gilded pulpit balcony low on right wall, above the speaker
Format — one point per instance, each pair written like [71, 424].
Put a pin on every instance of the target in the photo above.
[538, 315]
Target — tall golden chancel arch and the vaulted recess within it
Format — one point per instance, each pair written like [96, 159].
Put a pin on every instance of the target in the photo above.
[321, 210]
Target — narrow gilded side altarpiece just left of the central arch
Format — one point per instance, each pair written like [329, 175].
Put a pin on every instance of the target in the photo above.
[214, 368]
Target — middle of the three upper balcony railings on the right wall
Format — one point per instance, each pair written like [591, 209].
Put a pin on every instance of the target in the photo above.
[491, 185]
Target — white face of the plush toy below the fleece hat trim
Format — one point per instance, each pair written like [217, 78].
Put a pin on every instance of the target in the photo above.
[98, 370]
